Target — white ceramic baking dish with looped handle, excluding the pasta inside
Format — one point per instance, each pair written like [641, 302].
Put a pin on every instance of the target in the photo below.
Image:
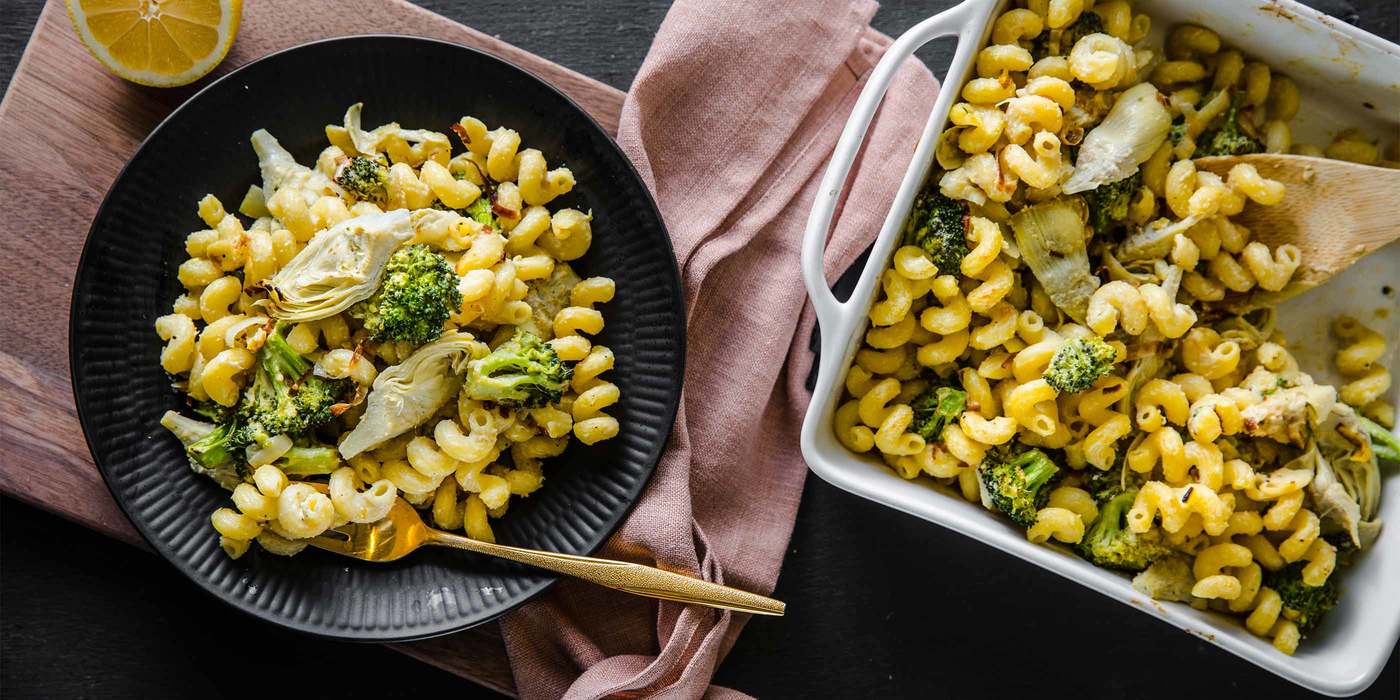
[1349, 79]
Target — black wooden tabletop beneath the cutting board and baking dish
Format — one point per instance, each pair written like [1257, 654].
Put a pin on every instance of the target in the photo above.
[881, 604]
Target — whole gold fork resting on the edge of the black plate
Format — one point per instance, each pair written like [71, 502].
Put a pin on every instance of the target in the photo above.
[404, 531]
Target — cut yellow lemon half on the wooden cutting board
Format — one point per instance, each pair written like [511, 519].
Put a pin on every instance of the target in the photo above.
[157, 43]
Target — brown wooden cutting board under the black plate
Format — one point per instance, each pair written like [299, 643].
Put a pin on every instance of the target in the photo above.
[69, 128]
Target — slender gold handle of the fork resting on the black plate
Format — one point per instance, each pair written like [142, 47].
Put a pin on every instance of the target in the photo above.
[622, 576]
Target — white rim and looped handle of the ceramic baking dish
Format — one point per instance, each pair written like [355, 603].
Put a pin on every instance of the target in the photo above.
[843, 323]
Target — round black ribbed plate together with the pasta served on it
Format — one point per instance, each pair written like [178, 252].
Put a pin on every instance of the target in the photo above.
[136, 265]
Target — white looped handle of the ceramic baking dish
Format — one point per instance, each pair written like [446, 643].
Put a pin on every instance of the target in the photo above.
[829, 311]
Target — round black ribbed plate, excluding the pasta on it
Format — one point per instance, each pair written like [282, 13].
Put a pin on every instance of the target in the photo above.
[127, 279]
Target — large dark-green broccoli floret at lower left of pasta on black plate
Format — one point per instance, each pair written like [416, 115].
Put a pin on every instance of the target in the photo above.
[285, 398]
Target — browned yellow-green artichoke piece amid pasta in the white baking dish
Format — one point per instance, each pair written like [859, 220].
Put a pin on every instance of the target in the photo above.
[1052, 241]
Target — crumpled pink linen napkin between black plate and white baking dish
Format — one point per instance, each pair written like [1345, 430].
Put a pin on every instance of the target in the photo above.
[730, 121]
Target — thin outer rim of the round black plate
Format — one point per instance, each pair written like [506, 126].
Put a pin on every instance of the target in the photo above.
[670, 412]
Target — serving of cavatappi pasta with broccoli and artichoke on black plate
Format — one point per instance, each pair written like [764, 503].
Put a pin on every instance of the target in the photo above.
[394, 320]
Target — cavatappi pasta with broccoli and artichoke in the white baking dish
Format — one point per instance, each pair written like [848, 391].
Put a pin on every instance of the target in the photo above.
[1074, 331]
